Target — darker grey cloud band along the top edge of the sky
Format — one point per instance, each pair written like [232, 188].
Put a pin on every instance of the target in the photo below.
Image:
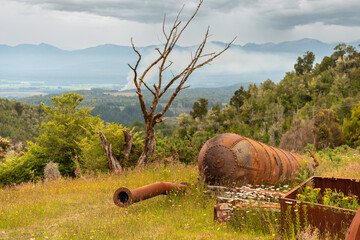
[278, 13]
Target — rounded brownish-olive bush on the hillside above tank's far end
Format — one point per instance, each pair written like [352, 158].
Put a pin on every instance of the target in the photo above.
[326, 130]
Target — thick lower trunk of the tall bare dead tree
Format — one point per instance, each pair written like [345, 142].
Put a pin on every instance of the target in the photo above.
[150, 143]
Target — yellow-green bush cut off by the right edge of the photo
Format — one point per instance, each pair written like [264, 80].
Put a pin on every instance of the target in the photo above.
[352, 127]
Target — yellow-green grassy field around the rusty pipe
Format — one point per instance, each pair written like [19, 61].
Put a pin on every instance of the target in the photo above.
[82, 208]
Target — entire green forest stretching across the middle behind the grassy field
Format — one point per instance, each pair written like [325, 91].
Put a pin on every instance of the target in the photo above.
[313, 104]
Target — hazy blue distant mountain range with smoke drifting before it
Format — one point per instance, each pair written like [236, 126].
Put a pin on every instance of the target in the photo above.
[45, 68]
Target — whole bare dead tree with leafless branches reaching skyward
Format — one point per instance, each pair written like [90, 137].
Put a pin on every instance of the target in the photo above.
[198, 60]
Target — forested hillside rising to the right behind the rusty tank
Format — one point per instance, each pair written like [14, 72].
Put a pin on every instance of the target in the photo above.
[268, 111]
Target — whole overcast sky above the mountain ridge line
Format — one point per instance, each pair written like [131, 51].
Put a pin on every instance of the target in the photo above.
[74, 24]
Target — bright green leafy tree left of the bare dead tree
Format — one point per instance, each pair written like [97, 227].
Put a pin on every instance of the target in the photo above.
[68, 124]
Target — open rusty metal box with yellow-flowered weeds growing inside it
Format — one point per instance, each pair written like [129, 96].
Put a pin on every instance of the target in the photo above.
[326, 218]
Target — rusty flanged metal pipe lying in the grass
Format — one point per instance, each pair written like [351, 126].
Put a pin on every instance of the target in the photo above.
[123, 197]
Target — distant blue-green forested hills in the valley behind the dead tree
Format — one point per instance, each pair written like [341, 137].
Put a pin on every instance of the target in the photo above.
[123, 107]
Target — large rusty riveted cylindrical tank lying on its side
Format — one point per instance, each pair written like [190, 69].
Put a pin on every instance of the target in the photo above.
[233, 159]
